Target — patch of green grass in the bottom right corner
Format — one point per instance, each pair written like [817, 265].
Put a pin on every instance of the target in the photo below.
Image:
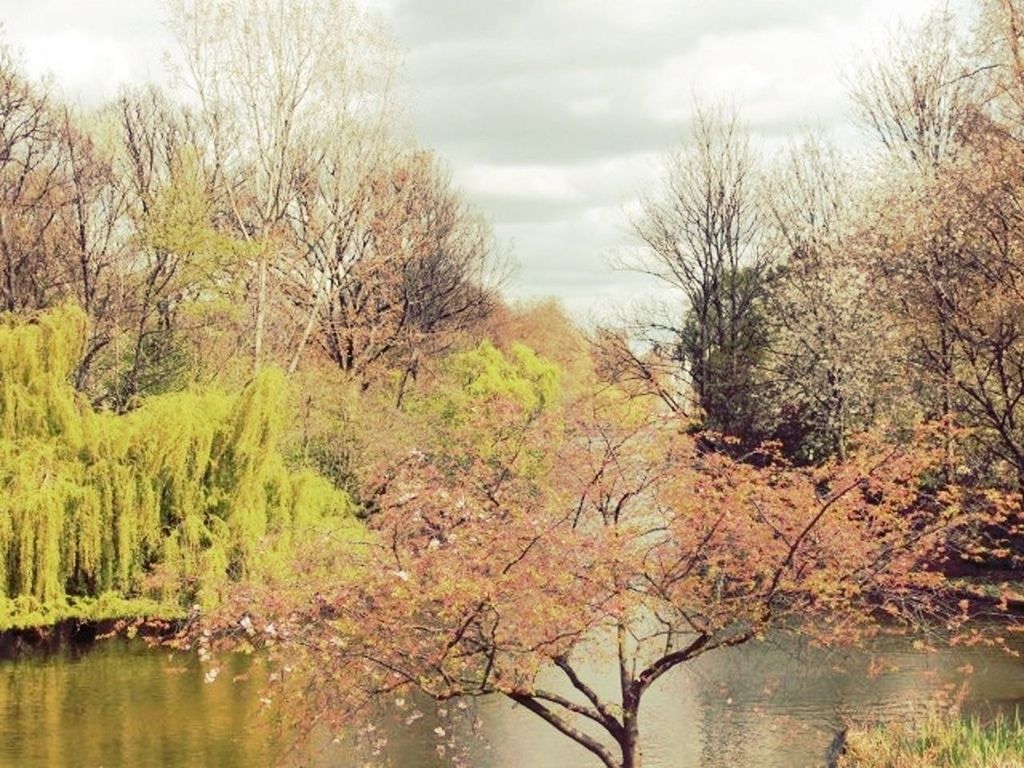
[938, 744]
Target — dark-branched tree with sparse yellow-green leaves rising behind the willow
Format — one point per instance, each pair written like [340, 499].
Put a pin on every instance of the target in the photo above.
[182, 266]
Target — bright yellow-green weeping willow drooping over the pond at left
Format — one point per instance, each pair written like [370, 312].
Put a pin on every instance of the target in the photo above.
[168, 502]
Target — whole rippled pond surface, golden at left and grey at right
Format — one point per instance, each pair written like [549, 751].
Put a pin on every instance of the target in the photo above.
[773, 706]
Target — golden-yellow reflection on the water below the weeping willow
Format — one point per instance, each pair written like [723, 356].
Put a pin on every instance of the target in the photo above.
[125, 705]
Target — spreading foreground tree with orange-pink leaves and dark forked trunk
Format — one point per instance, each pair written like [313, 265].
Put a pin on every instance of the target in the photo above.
[611, 530]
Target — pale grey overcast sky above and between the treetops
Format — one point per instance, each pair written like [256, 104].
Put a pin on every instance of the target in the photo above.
[552, 115]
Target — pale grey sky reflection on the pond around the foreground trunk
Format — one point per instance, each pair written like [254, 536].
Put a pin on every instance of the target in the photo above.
[776, 705]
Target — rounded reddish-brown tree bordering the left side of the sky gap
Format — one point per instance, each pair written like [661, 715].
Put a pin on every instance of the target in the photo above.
[410, 277]
